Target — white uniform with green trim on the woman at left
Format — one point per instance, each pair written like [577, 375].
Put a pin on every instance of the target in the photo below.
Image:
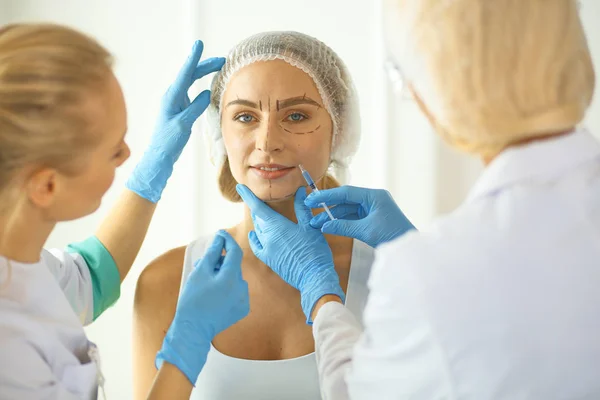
[44, 353]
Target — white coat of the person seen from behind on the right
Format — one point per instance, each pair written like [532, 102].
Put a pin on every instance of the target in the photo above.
[498, 300]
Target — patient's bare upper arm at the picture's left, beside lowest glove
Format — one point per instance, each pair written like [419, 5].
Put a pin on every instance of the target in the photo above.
[154, 307]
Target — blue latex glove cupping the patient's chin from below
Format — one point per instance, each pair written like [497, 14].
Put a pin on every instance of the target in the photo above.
[298, 253]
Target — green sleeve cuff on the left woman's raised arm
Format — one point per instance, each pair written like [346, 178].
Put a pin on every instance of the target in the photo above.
[106, 280]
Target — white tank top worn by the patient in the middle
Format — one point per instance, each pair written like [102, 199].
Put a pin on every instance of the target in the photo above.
[226, 378]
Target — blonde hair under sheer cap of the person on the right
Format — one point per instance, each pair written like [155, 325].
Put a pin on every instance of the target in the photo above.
[493, 73]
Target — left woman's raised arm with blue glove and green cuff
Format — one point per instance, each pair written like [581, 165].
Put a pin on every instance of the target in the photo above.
[121, 234]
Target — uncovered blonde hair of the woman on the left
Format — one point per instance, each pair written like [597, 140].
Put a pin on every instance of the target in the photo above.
[46, 73]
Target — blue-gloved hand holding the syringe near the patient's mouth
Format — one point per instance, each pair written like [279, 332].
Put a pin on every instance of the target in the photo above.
[369, 215]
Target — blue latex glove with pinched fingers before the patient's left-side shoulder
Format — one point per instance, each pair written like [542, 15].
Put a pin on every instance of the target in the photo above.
[214, 297]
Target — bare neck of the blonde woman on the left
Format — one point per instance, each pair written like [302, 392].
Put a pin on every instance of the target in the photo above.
[23, 233]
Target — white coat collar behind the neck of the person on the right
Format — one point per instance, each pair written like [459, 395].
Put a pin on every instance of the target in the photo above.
[537, 160]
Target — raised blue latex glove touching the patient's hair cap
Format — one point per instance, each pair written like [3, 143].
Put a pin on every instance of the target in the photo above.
[177, 115]
